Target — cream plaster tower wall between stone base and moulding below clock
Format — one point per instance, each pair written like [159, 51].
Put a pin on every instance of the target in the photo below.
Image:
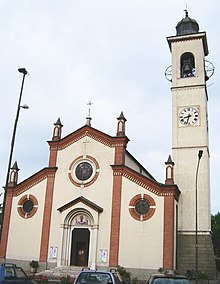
[185, 173]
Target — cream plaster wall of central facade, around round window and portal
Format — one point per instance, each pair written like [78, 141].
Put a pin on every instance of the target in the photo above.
[100, 192]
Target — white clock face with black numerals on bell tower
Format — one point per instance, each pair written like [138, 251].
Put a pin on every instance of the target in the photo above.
[189, 116]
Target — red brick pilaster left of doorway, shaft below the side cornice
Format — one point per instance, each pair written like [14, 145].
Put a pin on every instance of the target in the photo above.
[47, 217]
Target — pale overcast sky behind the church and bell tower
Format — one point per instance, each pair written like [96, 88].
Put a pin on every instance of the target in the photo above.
[110, 52]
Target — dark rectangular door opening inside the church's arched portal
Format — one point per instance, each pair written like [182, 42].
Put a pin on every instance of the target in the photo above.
[80, 247]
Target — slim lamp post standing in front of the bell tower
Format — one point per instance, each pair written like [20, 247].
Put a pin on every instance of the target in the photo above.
[196, 242]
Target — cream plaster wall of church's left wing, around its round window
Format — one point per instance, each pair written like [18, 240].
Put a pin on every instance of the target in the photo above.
[25, 234]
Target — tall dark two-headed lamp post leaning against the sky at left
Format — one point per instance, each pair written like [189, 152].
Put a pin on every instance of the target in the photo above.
[24, 72]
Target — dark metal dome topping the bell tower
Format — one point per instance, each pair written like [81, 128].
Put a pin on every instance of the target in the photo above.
[187, 26]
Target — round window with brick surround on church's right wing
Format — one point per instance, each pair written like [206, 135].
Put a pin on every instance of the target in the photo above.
[142, 207]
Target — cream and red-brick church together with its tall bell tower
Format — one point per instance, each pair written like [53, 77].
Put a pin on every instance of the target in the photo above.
[96, 206]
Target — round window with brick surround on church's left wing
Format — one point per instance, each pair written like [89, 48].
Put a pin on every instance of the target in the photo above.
[27, 206]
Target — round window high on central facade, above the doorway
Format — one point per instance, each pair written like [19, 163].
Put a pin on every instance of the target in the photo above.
[83, 171]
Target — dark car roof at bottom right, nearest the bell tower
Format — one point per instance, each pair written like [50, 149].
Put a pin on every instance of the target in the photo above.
[168, 279]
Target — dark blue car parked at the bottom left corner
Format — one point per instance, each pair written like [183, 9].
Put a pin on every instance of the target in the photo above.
[11, 273]
